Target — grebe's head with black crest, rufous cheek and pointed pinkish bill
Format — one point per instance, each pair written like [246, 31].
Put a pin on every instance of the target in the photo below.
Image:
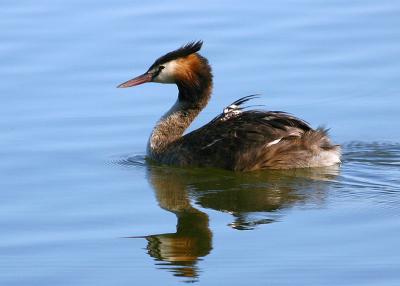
[181, 65]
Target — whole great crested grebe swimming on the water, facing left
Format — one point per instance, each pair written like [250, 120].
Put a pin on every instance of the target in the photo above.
[237, 139]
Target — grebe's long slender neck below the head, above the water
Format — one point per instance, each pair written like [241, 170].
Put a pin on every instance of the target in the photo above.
[191, 100]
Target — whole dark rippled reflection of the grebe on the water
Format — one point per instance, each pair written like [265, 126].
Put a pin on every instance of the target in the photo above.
[252, 198]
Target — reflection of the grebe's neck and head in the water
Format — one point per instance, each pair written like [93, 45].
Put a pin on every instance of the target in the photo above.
[192, 240]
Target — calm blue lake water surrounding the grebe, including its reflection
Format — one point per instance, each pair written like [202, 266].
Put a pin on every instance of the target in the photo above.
[78, 203]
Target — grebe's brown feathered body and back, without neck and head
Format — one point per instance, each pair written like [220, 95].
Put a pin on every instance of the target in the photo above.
[252, 140]
